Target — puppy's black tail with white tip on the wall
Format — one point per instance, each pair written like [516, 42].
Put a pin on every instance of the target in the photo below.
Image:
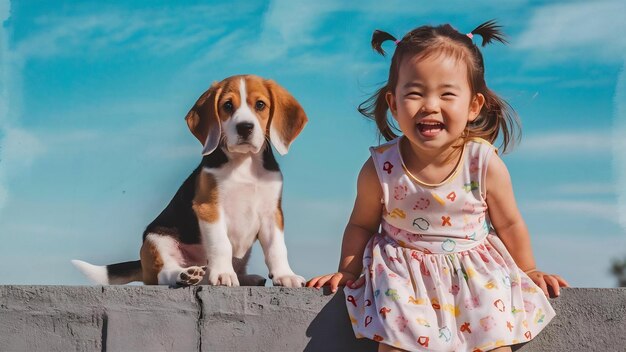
[112, 274]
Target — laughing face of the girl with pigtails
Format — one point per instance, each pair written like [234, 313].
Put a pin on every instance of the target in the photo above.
[432, 101]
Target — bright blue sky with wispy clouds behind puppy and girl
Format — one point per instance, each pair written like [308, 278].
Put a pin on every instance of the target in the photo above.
[93, 142]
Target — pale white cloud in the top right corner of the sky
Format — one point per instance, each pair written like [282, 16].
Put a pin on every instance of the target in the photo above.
[588, 30]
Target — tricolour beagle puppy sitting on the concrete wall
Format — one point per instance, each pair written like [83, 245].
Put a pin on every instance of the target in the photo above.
[233, 198]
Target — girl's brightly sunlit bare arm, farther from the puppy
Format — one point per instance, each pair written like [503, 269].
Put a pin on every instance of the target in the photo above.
[510, 227]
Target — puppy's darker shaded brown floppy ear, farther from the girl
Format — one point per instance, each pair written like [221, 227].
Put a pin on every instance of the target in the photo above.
[203, 119]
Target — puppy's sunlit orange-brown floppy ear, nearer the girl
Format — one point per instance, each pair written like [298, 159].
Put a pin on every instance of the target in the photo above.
[287, 118]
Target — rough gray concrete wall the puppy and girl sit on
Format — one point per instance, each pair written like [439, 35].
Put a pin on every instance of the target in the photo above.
[148, 318]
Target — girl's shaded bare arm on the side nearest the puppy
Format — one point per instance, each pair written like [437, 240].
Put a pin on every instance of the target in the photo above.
[363, 223]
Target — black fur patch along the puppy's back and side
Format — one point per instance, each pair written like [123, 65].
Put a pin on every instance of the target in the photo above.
[178, 219]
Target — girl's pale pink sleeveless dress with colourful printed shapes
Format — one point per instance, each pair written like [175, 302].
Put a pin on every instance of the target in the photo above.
[437, 277]
